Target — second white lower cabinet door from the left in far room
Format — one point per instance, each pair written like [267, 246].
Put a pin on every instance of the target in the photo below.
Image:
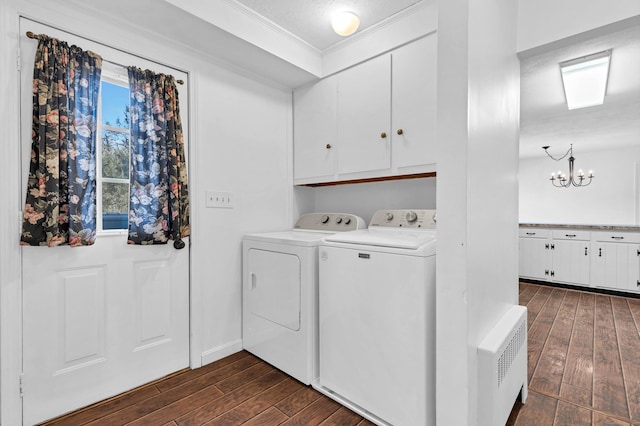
[570, 262]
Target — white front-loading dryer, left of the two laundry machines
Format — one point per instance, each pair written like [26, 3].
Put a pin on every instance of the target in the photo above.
[280, 292]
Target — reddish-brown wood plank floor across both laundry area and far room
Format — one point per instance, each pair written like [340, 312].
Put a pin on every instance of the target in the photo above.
[584, 369]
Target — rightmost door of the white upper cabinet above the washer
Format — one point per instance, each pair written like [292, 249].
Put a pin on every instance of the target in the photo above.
[414, 103]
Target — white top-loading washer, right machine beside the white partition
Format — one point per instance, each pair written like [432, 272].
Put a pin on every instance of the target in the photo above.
[377, 318]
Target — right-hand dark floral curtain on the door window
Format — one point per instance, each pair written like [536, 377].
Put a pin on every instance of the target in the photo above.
[159, 206]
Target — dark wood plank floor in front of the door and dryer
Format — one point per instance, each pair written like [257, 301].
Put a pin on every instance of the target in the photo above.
[240, 389]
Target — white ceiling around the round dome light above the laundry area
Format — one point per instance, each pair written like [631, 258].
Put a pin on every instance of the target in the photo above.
[310, 20]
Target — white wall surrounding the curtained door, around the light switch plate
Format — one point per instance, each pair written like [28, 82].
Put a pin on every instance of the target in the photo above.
[240, 141]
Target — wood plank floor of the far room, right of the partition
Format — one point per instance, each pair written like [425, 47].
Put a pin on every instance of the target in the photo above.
[584, 358]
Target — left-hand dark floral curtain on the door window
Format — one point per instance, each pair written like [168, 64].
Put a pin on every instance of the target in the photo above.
[60, 206]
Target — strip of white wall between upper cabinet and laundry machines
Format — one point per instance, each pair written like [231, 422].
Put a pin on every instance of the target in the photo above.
[363, 199]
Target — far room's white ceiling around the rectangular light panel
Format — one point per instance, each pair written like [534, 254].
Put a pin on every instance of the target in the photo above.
[545, 119]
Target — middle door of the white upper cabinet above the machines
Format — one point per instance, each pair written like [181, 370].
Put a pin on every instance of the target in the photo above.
[364, 117]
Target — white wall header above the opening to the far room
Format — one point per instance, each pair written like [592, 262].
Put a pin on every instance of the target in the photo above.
[545, 21]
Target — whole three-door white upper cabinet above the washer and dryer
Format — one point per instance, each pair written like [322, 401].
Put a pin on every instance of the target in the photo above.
[374, 120]
